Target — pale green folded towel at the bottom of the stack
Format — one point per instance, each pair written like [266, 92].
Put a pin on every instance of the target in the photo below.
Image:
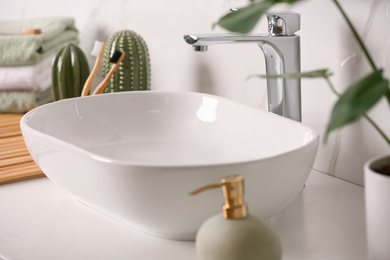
[23, 101]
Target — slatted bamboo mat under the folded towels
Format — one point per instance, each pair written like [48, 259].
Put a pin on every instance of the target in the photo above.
[16, 163]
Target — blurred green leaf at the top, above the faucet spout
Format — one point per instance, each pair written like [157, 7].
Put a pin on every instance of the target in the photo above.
[245, 19]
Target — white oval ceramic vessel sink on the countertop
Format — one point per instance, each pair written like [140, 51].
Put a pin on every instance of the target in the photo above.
[135, 156]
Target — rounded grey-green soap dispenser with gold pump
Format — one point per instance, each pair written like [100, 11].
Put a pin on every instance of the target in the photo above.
[235, 235]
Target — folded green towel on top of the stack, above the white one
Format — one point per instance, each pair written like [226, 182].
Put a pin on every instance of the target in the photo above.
[31, 49]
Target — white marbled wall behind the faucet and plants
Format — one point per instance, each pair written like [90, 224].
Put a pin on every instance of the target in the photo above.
[326, 43]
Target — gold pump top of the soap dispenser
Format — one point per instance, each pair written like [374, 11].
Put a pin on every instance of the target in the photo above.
[233, 191]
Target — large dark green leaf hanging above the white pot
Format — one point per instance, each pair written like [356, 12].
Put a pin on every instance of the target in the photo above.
[357, 100]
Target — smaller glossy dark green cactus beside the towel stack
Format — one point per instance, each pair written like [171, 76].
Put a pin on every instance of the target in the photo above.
[69, 72]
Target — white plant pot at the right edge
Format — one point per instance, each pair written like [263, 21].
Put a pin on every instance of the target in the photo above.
[377, 196]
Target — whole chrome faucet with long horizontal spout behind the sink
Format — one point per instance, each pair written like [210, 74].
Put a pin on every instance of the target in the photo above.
[281, 48]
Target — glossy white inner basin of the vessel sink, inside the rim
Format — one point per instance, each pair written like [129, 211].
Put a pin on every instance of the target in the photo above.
[169, 130]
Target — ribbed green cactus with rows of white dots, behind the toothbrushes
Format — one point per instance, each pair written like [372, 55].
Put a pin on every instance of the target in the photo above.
[133, 72]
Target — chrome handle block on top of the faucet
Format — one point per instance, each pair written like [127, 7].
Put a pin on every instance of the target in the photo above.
[283, 23]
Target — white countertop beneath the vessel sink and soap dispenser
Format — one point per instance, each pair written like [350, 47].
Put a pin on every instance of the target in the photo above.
[39, 220]
